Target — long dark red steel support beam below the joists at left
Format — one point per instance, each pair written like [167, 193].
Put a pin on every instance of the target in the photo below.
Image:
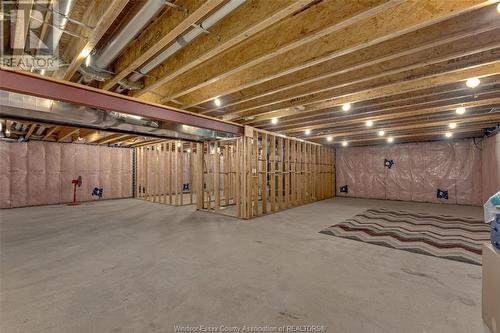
[35, 85]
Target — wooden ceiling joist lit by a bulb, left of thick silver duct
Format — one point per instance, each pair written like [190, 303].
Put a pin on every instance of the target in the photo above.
[101, 14]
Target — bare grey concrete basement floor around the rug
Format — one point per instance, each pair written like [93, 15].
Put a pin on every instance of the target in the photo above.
[134, 266]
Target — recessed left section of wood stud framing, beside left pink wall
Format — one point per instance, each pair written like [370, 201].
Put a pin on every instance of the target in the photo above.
[162, 169]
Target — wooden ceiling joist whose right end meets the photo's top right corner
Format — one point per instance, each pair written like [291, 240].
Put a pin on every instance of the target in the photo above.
[423, 40]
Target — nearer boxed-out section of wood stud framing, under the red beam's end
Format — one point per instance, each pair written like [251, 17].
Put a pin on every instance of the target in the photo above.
[263, 172]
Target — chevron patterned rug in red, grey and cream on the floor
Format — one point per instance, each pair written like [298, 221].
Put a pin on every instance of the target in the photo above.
[443, 236]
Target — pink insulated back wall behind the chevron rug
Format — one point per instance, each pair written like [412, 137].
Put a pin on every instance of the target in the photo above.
[419, 170]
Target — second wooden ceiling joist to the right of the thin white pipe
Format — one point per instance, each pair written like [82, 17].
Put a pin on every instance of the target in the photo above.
[322, 18]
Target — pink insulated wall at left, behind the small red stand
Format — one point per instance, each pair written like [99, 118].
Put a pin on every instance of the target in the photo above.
[40, 173]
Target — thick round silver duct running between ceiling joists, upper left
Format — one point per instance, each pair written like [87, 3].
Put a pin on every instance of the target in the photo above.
[129, 32]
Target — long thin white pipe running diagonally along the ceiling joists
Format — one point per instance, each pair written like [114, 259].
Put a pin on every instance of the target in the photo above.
[185, 39]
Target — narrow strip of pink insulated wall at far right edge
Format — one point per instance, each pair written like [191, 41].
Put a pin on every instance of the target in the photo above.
[491, 166]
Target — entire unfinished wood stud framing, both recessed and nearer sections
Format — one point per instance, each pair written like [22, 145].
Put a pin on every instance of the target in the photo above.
[246, 177]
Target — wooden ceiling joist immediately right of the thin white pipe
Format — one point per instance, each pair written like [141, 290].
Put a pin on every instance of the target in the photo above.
[246, 21]
